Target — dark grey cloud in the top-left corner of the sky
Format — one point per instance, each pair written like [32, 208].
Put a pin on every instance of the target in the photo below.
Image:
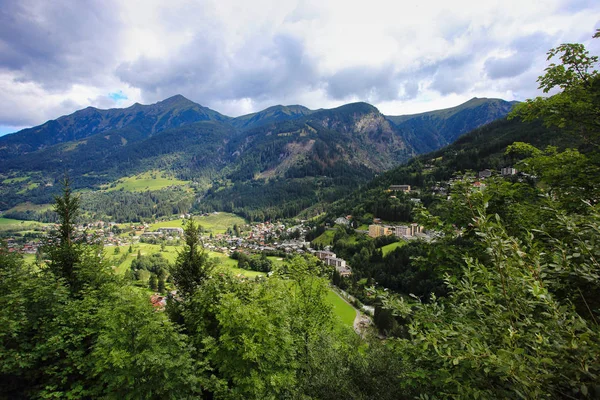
[59, 43]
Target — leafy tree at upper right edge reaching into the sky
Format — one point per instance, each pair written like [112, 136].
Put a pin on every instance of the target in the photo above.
[576, 107]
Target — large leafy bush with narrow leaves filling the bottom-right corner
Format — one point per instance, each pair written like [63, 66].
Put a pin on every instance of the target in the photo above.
[502, 333]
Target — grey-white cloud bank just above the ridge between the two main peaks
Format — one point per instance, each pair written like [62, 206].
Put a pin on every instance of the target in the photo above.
[207, 71]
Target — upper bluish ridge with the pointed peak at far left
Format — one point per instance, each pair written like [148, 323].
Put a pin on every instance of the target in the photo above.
[146, 119]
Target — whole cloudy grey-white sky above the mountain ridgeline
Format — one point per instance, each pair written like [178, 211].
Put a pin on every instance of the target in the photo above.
[242, 56]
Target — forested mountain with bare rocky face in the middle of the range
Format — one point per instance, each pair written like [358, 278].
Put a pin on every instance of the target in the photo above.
[284, 168]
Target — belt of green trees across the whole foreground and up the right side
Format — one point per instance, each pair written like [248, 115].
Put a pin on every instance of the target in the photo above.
[504, 303]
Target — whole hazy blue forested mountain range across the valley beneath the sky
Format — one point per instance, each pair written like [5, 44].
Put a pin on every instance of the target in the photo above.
[283, 159]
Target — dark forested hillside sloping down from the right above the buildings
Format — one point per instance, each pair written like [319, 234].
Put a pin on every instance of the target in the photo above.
[482, 148]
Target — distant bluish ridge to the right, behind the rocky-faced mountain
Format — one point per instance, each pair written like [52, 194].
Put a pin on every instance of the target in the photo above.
[431, 130]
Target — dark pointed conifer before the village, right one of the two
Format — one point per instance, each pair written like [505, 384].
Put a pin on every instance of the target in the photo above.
[193, 265]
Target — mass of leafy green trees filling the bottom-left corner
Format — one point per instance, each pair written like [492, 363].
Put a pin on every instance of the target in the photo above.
[106, 342]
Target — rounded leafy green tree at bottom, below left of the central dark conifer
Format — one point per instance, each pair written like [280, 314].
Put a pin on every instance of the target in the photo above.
[138, 353]
